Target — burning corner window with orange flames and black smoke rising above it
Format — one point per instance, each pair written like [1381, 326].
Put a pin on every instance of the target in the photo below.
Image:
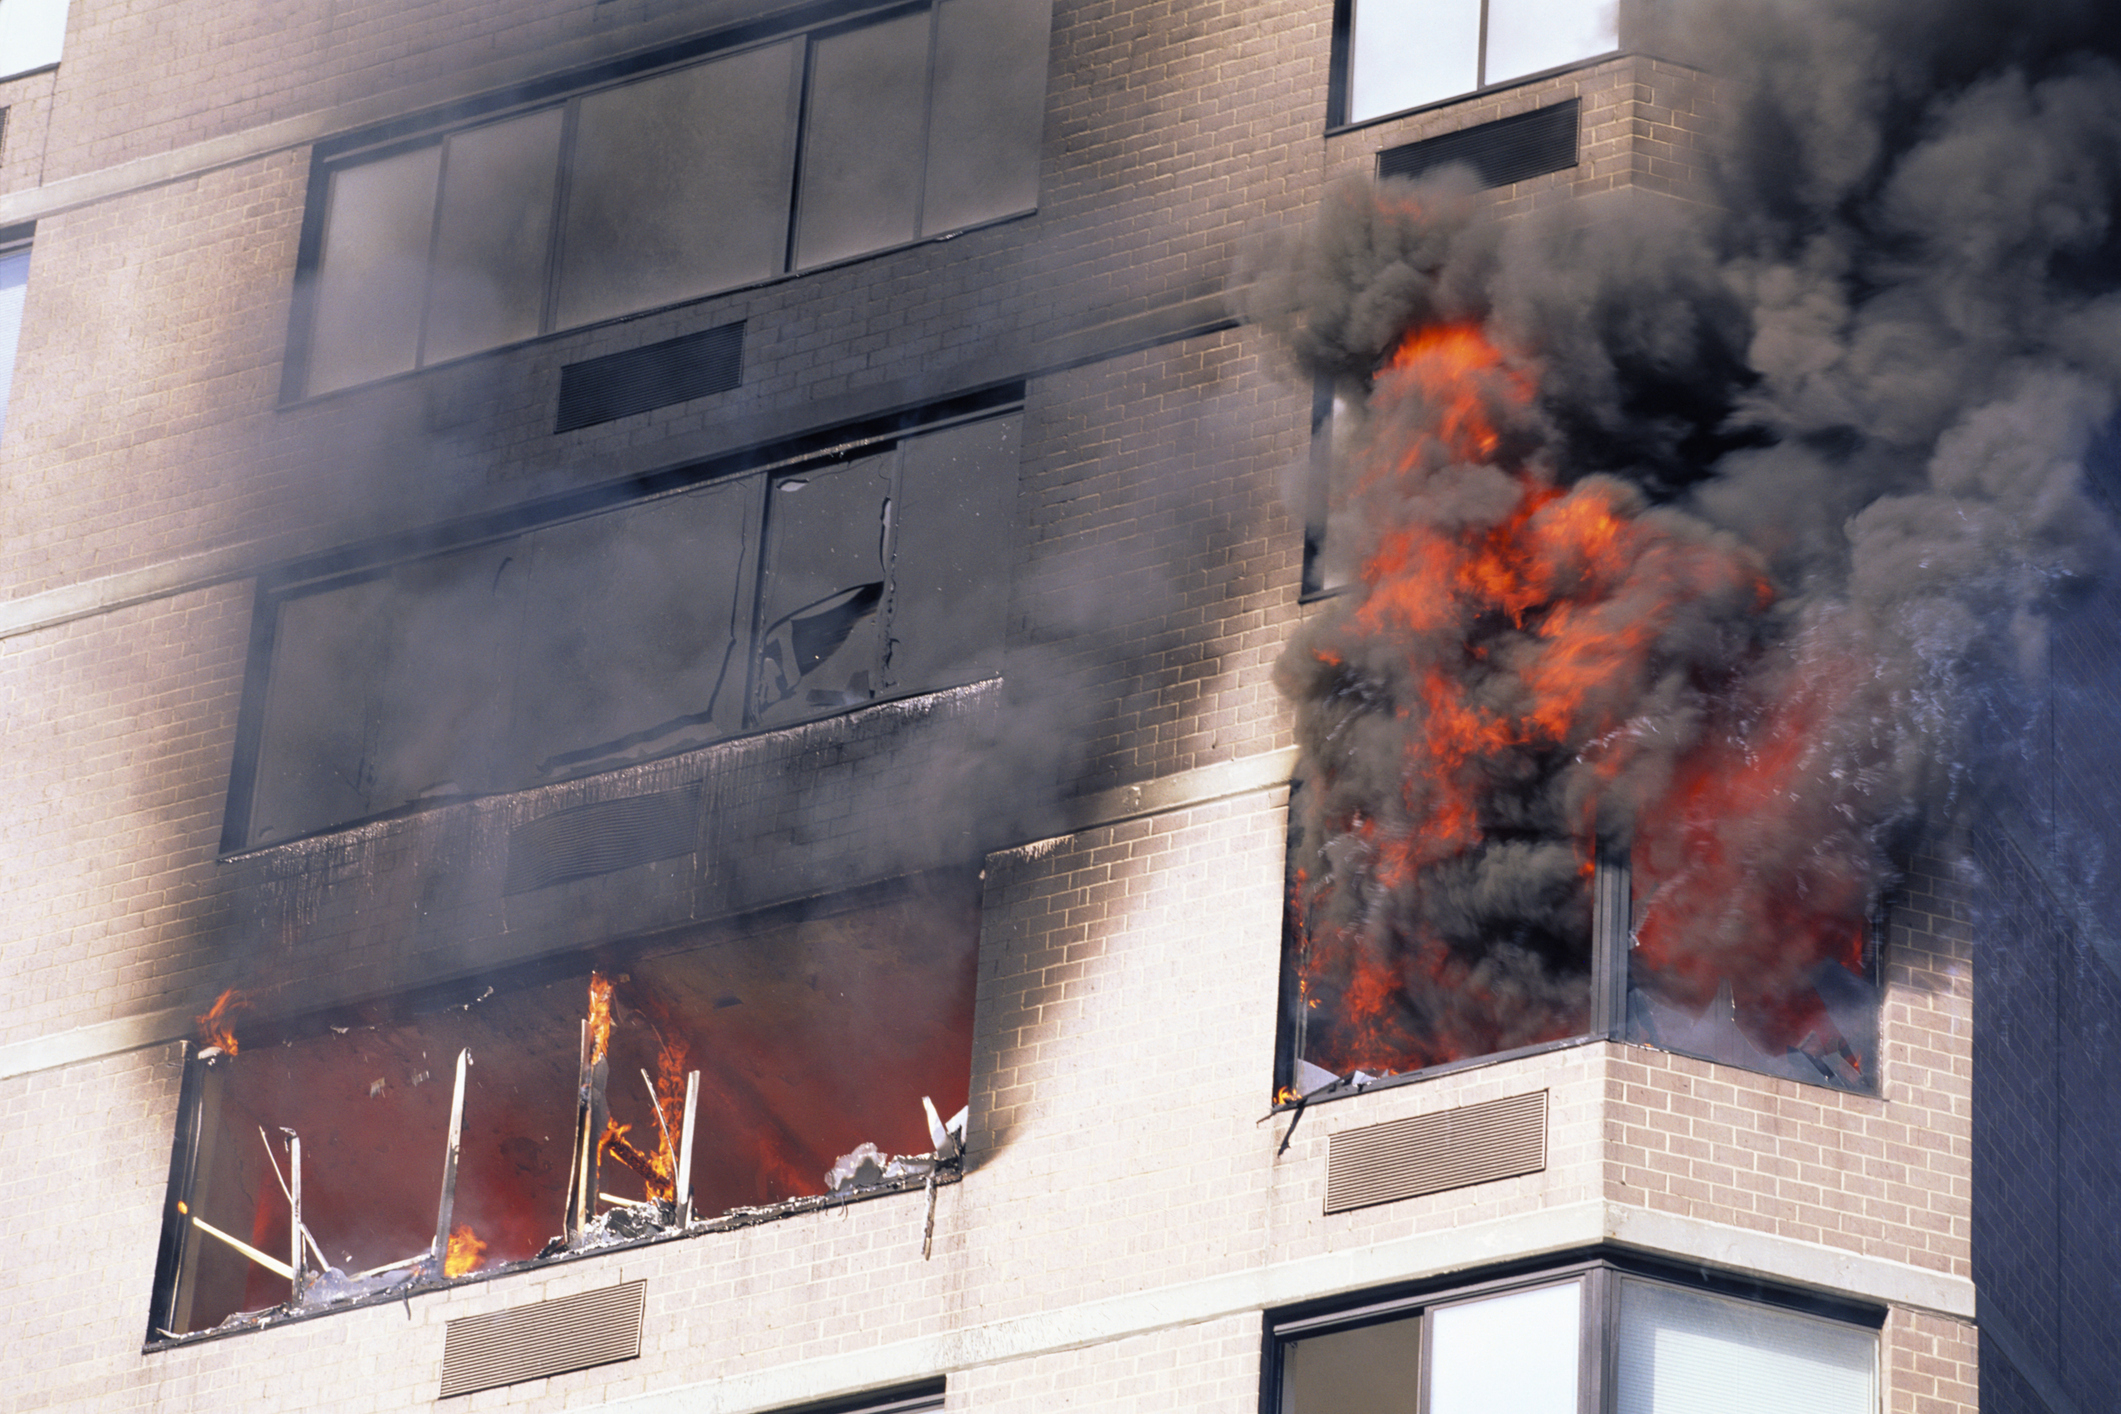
[1530, 696]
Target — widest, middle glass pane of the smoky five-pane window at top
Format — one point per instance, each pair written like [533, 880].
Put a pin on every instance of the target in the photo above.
[680, 185]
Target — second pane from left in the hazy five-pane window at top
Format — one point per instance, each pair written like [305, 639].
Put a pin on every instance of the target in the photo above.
[489, 283]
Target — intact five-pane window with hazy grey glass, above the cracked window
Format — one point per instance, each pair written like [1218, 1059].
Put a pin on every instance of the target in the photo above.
[648, 192]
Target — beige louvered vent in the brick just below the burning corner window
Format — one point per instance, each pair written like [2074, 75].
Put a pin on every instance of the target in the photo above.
[1428, 1154]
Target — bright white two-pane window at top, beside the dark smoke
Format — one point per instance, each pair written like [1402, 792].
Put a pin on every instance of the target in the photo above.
[1403, 54]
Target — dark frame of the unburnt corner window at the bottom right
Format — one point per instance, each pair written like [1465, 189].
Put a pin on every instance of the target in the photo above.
[1598, 1269]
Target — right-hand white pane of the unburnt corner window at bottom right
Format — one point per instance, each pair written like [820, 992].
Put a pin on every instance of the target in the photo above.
[1696, 1354]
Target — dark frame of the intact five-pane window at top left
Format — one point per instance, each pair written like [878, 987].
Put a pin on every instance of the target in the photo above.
[807, 24]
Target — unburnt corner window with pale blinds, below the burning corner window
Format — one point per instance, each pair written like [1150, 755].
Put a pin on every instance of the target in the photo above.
[1602, 1335]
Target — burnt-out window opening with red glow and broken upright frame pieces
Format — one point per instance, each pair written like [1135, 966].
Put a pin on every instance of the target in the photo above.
[690, 1084]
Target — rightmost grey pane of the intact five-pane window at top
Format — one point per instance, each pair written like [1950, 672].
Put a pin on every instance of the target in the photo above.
[989, 111]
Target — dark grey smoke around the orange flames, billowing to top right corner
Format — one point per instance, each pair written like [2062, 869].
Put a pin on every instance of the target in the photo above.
[1872, 364]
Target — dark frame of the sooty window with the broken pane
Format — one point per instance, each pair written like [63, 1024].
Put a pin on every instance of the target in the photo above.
[765, 465]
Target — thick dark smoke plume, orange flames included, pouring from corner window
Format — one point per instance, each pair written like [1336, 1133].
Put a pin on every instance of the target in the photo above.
[1713, 529]
